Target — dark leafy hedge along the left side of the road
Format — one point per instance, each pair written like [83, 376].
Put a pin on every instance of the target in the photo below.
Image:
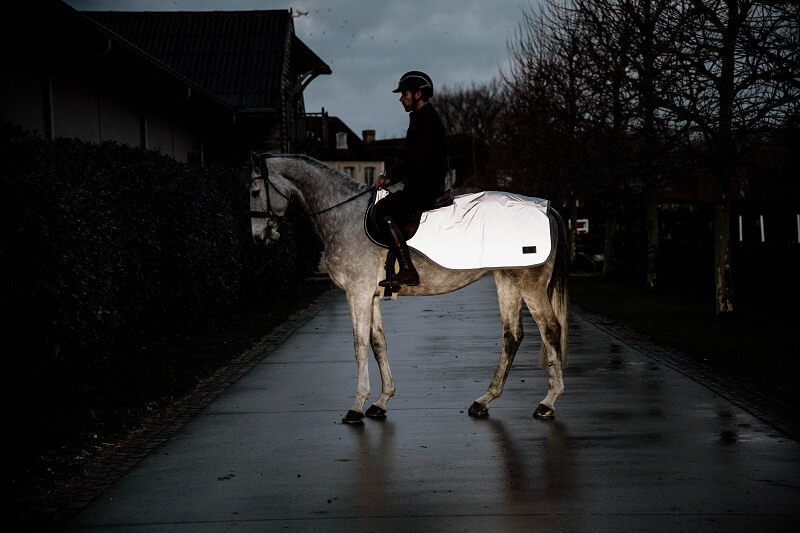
[105, 247]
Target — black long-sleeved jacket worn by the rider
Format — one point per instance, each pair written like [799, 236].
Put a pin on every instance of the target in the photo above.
[425, 165]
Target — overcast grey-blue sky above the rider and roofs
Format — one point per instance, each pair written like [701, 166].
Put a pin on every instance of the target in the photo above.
[369, 44]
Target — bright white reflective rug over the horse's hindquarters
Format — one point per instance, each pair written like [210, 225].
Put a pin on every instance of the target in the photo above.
[487, 229]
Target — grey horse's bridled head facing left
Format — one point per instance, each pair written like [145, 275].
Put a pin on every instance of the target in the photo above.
[269, 200]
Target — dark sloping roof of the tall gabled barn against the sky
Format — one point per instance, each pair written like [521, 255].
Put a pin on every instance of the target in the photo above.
[232, 54]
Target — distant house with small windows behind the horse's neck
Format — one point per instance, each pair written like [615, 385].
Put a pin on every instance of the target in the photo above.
[330, 140]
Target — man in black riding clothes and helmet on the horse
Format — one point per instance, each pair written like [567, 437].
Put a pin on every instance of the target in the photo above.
[422, 171]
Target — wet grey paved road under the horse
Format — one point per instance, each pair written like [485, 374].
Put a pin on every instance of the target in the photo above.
[636, 445]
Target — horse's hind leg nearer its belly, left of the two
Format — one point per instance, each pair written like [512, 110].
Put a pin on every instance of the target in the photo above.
[510, 300]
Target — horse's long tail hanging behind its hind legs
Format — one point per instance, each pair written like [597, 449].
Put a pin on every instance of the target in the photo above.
[557, 288]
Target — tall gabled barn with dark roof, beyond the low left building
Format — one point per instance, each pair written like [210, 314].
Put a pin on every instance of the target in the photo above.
[252, 60]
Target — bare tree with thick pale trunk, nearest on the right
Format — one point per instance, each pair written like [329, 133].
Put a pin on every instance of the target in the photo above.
[736, 72]
